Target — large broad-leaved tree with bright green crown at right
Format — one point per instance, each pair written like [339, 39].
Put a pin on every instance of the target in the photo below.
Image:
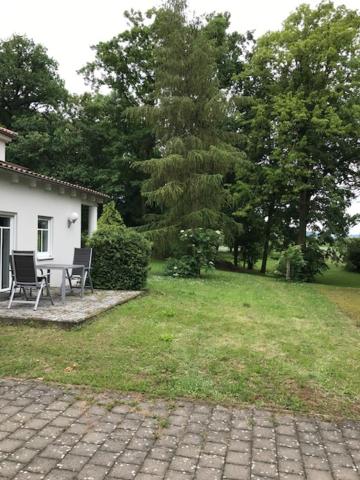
[299, 114]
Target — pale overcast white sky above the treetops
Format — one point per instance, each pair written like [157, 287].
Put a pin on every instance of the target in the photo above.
[69, 27]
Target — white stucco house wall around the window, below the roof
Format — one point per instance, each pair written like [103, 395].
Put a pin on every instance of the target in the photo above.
[26, 200]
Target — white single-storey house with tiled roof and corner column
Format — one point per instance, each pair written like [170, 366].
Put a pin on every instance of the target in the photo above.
[40, 213]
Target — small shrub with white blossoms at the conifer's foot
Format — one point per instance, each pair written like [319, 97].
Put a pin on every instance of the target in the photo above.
[200, 247]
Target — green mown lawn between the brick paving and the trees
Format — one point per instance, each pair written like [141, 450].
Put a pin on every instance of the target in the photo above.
[228, 337]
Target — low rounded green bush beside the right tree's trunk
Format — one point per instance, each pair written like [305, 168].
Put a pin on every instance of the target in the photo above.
[299, 265]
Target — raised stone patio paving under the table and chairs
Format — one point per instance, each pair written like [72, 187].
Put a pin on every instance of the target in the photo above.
[73, 312]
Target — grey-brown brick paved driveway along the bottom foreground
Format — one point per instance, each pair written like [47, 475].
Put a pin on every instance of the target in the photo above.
[48, 432]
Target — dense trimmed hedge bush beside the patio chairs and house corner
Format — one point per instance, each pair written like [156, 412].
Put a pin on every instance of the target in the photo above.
[120, 256]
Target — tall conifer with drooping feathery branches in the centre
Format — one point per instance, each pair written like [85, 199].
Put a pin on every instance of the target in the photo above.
[185, 183]
